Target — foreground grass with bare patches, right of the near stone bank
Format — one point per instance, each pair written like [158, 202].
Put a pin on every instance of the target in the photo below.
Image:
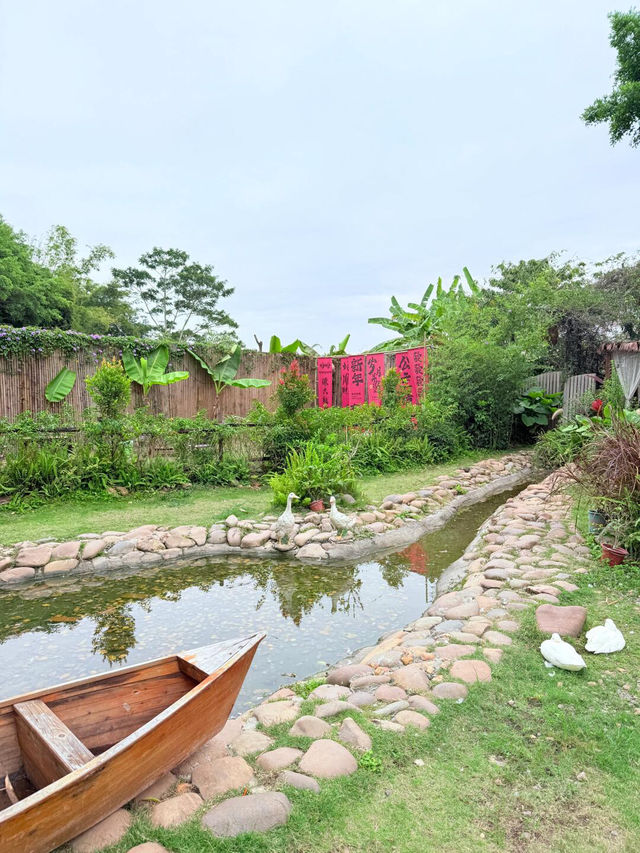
[532, 762]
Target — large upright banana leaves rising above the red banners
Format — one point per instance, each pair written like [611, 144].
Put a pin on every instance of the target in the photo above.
[423, 320]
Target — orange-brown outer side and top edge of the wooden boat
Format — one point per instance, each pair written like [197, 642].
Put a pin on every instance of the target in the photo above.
[67, 807]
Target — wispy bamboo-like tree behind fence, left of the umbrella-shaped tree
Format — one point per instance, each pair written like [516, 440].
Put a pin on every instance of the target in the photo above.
[96, 308]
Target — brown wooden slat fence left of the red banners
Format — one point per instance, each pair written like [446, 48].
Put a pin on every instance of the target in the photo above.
[23, 382]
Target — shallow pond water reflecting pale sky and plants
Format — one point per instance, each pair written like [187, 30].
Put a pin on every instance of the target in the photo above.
[313, 616]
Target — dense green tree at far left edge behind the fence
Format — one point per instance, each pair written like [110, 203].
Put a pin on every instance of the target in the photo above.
[30, 294]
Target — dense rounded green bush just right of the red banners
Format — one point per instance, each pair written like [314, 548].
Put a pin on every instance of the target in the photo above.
[482, 381]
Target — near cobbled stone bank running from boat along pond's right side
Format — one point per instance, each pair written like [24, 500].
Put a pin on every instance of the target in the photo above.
[525, 555]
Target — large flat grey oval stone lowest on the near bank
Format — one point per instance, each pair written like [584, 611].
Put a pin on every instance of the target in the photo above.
[253, 813]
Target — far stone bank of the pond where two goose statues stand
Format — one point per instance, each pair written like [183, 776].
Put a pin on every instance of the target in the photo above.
[399, 520]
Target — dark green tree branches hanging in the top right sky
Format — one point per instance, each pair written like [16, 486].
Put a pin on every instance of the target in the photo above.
[621, 109]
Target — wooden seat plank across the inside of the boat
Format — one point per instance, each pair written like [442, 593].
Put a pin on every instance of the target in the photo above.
[50, 750]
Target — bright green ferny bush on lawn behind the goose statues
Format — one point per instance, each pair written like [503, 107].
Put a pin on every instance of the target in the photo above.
[314, 471]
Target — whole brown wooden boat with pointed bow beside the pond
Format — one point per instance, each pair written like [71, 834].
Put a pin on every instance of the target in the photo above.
[79, 751]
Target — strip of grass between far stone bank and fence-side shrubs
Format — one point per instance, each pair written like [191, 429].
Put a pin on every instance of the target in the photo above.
[198, 505]
